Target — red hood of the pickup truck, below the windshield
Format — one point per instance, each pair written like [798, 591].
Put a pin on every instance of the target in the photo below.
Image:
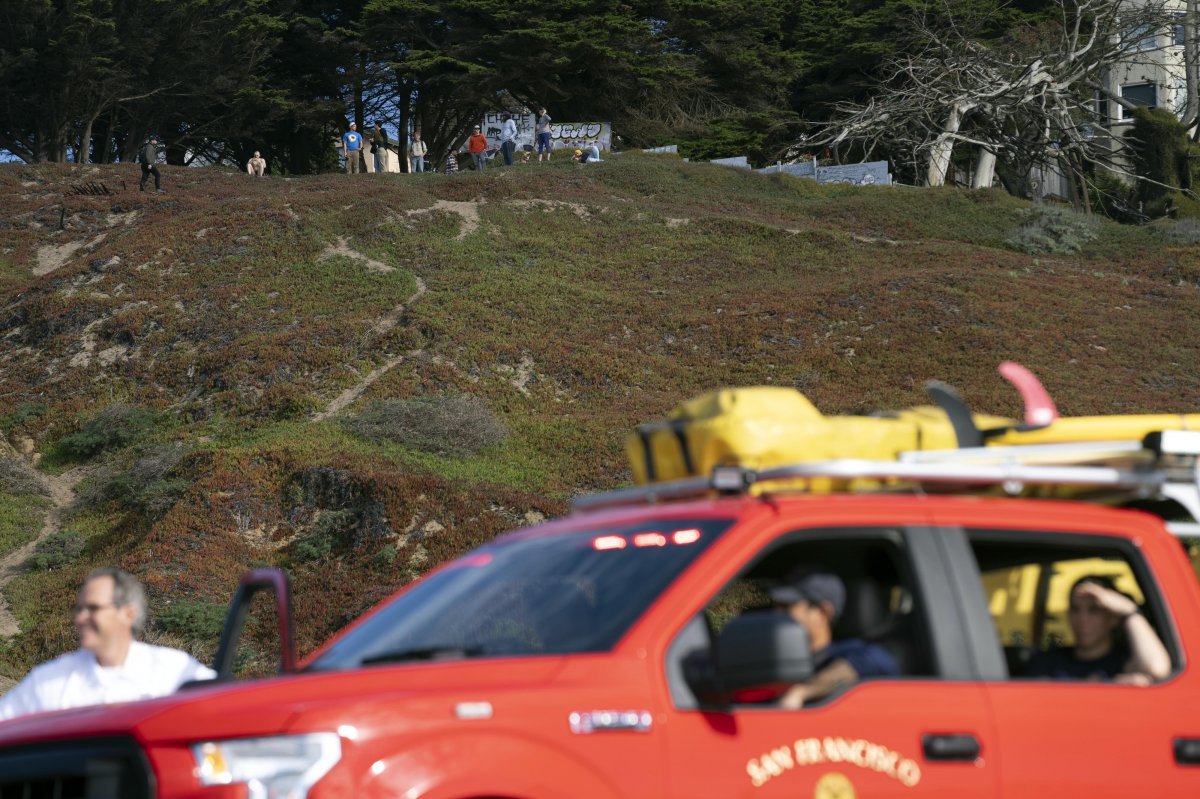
[269, 707]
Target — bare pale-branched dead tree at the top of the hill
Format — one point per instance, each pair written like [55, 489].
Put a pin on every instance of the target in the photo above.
[1027, 100]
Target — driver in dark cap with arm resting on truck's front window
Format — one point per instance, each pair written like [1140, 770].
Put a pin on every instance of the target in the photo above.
[815, 600]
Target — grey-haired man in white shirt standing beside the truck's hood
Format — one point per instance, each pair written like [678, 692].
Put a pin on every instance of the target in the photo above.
[111, 665]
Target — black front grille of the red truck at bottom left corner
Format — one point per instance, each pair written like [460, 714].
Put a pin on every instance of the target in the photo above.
[101, 768]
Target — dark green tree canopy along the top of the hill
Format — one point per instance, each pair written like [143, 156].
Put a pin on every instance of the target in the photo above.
[218, 80]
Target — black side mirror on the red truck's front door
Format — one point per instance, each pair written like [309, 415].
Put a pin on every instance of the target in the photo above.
[755, 650]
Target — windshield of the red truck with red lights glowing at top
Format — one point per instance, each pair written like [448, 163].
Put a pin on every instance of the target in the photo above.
[553, 594]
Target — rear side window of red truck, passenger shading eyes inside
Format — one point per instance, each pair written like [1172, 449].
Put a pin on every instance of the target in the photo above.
[1073, 608]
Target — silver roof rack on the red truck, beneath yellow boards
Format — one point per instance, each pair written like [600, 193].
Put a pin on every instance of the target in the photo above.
[1163, 467]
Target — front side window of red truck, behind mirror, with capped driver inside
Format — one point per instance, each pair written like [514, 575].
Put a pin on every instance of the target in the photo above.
[853, 593]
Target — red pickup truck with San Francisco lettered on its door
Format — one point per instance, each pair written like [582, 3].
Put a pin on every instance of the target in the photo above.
[605, 656]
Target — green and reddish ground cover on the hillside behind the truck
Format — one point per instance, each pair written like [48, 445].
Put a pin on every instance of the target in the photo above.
[229, 314]
